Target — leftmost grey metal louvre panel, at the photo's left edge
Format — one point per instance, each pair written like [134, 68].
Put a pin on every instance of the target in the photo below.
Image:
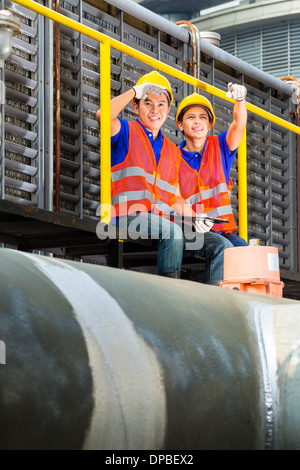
[21, 163]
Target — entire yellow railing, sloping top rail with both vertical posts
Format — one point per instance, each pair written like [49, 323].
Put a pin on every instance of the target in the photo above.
[105, 44]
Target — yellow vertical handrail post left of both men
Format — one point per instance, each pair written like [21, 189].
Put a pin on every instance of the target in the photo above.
[105, 155]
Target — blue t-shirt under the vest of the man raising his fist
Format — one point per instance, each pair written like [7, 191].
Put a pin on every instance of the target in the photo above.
[194, 159]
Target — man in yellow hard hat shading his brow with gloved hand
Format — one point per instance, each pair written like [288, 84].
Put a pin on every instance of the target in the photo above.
[145, 171]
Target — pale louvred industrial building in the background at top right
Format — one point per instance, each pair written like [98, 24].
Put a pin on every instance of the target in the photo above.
[264, 33]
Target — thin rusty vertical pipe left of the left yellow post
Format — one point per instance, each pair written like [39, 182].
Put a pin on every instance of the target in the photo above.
[58, 115]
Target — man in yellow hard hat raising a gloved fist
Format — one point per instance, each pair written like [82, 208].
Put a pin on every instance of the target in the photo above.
[204, 173]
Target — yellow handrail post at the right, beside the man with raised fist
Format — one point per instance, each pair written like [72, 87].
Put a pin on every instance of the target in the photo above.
[242, 188]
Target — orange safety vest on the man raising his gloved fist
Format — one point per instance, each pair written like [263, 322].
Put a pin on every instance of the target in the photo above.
[206, 190]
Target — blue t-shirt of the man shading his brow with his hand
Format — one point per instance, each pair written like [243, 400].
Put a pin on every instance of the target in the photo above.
[120, 143]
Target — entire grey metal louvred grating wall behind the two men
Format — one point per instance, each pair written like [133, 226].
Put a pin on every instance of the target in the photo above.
[271, 152]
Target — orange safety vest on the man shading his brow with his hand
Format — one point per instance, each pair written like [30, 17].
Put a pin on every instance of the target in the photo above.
[140, 185]
